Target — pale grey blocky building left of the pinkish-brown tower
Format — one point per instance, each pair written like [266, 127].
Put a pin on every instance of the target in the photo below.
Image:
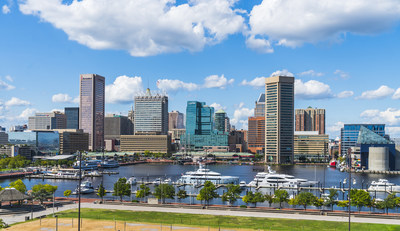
[47, 120]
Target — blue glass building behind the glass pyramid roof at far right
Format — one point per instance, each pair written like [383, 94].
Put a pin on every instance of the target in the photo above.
[349, 134]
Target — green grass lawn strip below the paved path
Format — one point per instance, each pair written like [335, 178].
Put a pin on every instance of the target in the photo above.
[220, 221]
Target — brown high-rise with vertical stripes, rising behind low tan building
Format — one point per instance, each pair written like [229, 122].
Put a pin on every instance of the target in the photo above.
[310, 119]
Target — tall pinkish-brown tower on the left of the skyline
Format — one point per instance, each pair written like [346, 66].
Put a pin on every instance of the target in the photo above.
[91, 109]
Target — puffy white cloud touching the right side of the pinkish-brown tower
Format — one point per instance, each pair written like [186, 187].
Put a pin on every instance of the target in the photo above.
[124, 89]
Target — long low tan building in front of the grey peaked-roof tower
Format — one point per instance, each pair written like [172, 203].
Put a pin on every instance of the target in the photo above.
[142, 143]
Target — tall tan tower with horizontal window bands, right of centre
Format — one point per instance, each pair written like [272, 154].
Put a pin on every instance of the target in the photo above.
[279, 119]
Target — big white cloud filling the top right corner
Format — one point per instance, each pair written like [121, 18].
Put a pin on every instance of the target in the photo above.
[293, 23]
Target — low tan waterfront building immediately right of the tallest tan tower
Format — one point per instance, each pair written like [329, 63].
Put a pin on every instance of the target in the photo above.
[310, 145]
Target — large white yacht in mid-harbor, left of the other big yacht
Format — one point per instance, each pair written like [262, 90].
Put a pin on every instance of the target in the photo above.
[202, 175]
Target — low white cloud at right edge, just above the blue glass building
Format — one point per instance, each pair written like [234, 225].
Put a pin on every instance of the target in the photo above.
[390, 116]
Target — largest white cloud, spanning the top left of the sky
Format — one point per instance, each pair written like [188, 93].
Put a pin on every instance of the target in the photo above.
[142, 27]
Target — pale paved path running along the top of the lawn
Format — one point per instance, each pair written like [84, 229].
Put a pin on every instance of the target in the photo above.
[10, 219]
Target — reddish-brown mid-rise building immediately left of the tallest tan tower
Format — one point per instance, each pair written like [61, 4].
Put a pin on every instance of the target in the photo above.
[256, 135]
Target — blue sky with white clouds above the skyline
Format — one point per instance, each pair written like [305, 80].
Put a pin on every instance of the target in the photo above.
[344, 55]
